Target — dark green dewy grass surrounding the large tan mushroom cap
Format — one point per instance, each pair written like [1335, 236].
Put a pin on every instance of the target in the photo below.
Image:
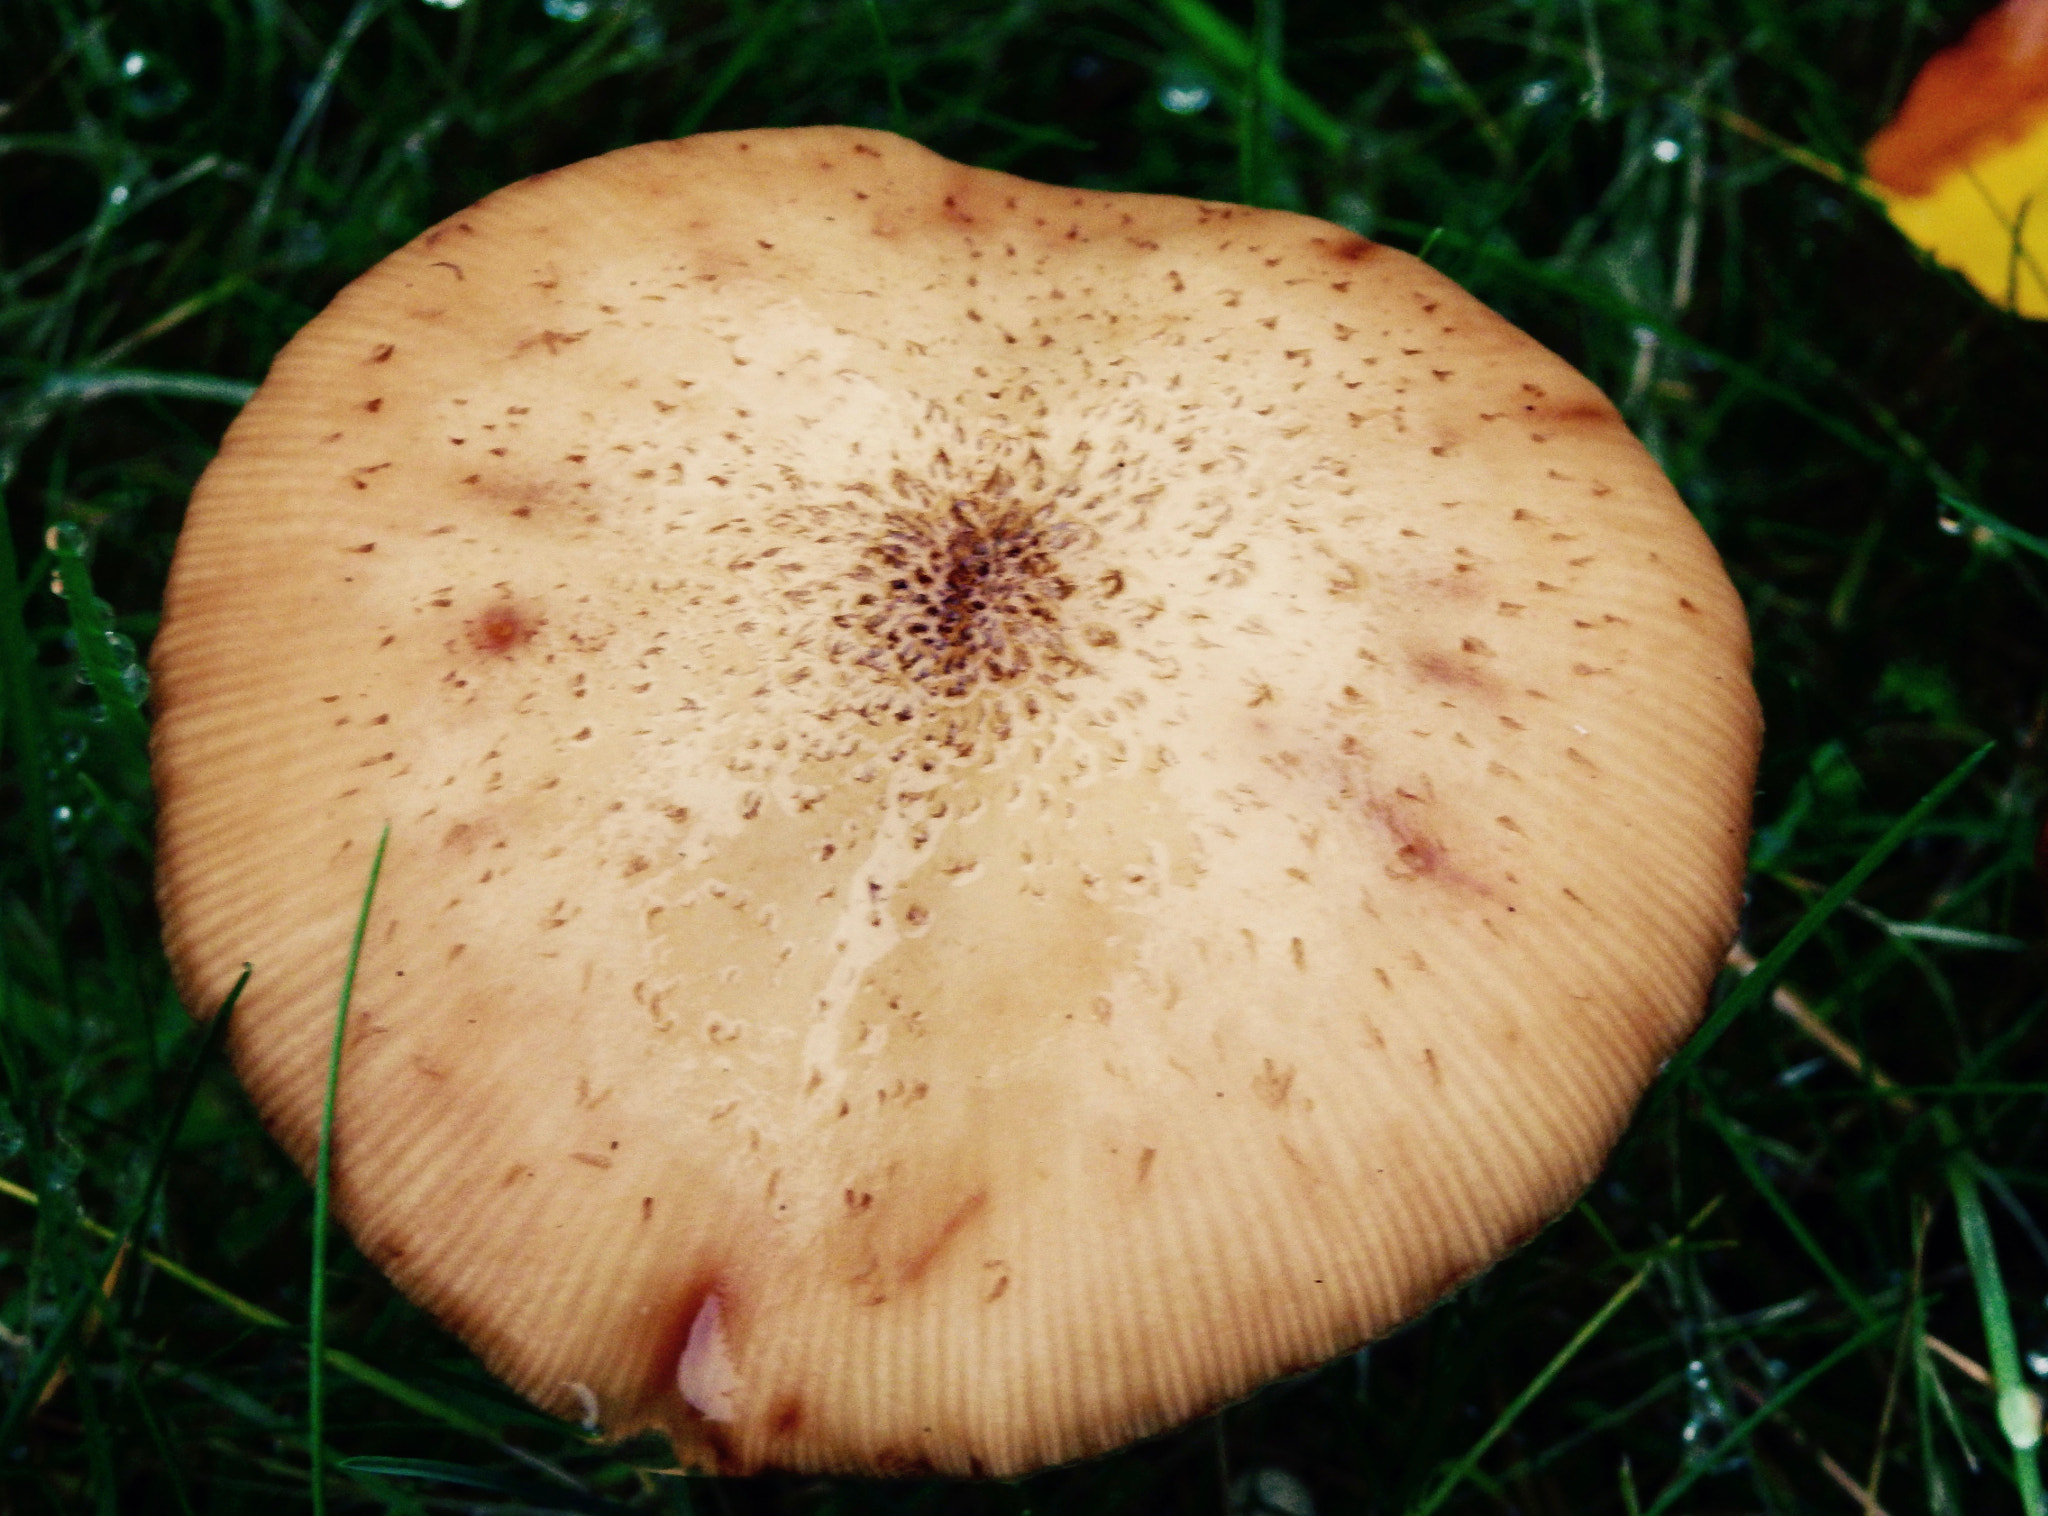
[1816, 1275]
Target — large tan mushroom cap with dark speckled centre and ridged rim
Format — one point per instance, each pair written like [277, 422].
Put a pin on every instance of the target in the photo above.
[1013, 810]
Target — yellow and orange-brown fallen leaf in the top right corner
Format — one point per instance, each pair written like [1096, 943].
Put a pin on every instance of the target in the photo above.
[1963, 169]
